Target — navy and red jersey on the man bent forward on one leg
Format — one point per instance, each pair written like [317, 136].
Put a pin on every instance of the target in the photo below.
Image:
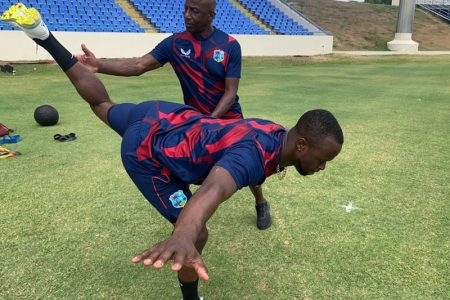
[185, 144]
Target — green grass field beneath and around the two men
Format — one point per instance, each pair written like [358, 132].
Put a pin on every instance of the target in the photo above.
[71, 220]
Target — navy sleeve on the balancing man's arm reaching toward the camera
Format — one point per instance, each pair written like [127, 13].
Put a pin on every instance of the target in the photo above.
[245, 165]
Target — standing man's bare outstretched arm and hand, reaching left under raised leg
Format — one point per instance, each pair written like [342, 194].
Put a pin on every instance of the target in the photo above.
[123, 67]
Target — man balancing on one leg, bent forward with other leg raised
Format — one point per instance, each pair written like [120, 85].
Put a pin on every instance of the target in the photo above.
[167, 146]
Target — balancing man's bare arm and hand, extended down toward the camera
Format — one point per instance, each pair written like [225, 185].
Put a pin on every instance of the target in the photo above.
[180, 246]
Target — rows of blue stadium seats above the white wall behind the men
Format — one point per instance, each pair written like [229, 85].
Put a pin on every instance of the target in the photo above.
[239, 17]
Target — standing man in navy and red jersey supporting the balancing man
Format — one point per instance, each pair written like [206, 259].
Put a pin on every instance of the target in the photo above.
[207, 62]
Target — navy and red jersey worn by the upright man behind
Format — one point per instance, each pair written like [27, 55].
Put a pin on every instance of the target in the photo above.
[202, 66]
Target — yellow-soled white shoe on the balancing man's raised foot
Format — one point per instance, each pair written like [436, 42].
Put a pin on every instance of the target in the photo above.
[27, 19]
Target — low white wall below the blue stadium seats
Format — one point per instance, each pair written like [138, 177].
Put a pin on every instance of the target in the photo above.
[16, 46]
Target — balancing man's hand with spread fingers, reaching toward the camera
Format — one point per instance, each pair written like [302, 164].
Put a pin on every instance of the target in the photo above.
[177, 248]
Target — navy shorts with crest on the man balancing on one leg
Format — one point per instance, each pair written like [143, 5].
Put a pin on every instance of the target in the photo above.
[167, 194]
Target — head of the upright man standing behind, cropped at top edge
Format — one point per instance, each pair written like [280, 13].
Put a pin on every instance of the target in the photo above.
[198, 15]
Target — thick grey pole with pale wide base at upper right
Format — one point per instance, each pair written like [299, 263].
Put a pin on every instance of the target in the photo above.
[403, 36]
